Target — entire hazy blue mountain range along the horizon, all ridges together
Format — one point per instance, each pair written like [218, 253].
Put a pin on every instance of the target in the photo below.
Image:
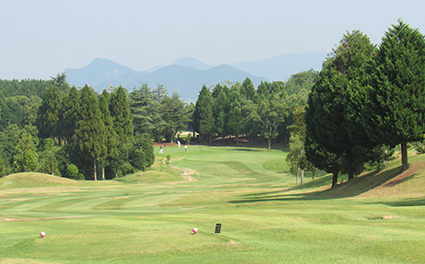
[187, 75]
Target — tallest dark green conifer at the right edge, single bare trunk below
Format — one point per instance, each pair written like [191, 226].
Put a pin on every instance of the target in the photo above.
[395, 105]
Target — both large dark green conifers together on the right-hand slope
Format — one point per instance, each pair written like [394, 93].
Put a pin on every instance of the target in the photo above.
[367, 100]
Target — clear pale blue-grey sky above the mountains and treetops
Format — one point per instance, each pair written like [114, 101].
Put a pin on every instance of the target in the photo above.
[41, 38]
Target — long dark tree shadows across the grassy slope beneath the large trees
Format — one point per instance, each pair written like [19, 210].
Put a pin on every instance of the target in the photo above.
[350, 188]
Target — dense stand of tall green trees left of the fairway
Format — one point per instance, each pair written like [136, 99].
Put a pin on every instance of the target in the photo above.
[79, 129]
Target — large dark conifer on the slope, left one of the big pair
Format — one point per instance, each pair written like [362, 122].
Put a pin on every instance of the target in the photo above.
[332, 115]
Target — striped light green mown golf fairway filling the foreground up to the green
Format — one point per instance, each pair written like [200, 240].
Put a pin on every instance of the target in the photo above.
[148, 218]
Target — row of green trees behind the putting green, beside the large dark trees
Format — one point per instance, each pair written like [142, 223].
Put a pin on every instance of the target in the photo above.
[230, 110]
